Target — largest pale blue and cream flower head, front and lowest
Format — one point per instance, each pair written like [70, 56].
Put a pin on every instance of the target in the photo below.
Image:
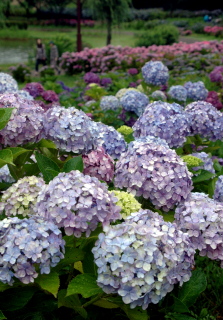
[142, 258]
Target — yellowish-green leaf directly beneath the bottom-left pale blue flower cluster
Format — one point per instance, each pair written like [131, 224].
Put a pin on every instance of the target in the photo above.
[49, 282]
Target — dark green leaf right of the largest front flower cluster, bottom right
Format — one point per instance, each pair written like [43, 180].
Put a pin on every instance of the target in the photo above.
[191, 289]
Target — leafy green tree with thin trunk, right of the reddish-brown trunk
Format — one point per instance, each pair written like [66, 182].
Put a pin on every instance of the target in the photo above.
[111, 11]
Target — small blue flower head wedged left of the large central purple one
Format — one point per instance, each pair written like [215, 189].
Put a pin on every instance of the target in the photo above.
[109, 138]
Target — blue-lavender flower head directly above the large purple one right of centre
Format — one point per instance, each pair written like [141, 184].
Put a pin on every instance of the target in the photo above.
[164, 120]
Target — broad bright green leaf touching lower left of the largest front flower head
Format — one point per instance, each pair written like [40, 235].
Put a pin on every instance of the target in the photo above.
[85, 284]
